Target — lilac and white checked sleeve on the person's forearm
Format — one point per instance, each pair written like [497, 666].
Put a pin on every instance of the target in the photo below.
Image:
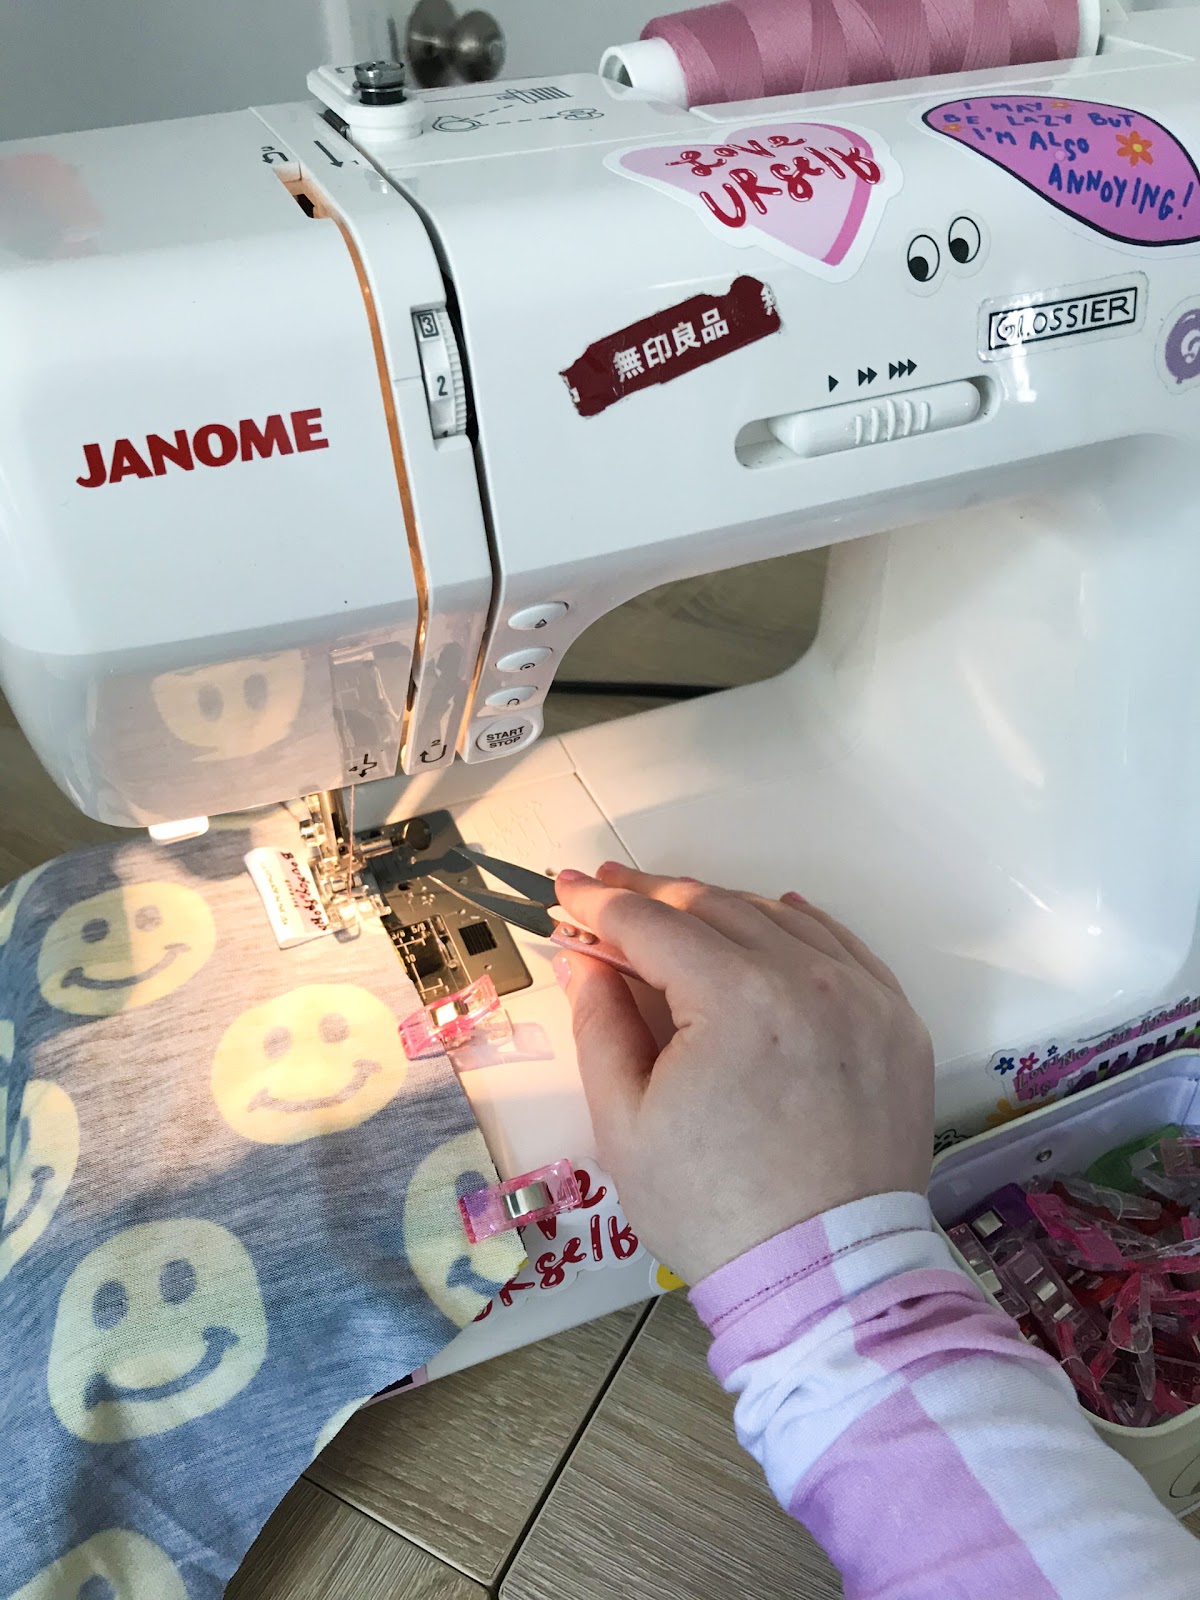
[913, 1431]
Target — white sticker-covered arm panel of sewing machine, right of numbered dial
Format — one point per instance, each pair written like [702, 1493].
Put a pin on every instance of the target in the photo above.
[554, 250]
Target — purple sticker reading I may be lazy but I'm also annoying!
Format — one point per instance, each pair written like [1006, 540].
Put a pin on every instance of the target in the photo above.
[1111, 169]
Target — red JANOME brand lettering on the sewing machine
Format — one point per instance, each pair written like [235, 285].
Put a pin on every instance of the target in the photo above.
[214, 446]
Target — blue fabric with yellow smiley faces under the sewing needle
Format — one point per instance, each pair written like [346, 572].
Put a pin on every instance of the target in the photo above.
[209, 1254]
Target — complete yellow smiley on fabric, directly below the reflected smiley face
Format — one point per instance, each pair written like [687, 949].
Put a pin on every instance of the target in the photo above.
[126, 948]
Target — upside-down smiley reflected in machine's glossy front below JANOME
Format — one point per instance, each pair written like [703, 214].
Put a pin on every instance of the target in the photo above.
[234, 708]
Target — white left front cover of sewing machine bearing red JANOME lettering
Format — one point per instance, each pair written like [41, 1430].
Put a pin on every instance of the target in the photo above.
[191, 423]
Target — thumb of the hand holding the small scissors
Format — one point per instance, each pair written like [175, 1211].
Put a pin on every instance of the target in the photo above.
[615, 1047]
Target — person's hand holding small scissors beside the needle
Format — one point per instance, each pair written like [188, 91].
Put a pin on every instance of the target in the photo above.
[799, 1078]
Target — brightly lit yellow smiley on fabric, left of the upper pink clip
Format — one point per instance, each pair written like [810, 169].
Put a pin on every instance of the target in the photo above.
[319, 1060]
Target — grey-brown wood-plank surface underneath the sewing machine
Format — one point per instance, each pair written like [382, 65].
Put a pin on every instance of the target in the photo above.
[598, 1465]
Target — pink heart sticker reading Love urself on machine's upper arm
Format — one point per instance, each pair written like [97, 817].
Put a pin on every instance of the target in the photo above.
[807, 191]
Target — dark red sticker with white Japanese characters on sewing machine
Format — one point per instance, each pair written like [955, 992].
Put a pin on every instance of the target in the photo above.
[670, 345]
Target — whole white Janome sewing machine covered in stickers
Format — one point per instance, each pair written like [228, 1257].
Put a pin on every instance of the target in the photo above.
[319, 449]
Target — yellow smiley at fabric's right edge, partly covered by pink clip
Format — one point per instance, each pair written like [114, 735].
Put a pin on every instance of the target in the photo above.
[458, 1278]
